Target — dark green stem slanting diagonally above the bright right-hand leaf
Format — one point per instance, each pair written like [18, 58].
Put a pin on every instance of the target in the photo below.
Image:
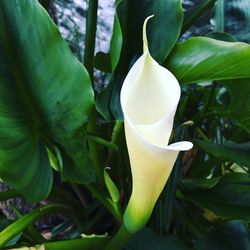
[199, 11]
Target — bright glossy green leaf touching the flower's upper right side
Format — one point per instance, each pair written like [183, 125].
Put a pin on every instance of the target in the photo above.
[202, 59]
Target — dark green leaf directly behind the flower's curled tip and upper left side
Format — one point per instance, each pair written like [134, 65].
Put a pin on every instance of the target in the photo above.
[163, 31]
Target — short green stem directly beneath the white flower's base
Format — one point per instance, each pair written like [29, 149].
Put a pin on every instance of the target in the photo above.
[119, 240]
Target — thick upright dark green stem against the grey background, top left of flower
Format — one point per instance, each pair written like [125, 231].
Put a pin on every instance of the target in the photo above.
[90, 37]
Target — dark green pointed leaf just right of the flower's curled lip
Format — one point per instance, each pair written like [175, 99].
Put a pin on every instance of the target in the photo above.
[235, 152]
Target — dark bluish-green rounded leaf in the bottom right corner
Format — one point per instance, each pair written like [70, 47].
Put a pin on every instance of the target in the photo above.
[233, 235]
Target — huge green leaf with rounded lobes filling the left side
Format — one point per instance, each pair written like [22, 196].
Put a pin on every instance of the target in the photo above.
[45, 98]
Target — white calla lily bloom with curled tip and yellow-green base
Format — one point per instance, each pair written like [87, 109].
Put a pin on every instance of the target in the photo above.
[149, 98]
